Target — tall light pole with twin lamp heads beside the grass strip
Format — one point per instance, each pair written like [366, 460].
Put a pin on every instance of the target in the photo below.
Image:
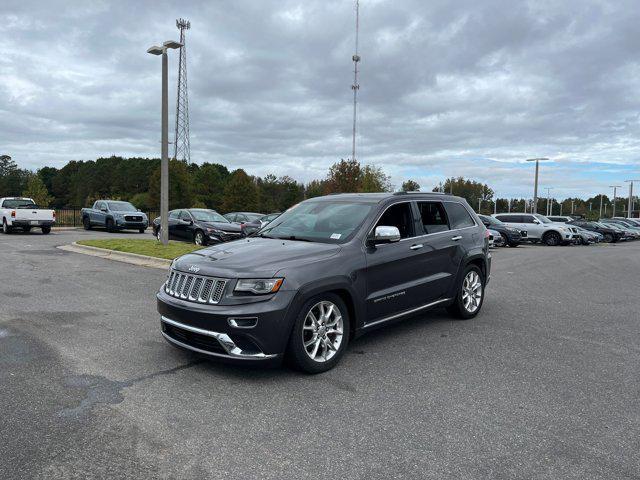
[164, 148]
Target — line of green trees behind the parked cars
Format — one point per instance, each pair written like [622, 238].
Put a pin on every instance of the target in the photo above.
[213, 185]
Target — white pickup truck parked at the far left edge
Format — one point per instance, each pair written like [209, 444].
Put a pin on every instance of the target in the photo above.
[20, 212]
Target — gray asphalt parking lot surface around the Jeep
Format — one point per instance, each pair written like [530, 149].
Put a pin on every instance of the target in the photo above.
[543, 384]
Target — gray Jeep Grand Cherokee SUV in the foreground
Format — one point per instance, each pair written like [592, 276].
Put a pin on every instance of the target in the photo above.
[324, 272]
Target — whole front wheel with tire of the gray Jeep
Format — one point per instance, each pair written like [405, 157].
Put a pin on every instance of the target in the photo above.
[320, 334]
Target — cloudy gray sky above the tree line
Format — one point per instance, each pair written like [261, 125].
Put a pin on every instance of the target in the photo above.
[447, 87]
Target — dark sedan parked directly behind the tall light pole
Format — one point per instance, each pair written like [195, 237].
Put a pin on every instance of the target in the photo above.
[200, 226]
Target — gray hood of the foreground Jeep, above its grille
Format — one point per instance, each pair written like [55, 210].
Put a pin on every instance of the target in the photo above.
[254, 257]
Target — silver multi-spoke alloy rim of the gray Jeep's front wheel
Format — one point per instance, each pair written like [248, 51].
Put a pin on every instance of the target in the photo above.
[322, 331]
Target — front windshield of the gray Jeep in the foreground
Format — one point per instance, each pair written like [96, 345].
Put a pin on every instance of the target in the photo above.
[320, 221]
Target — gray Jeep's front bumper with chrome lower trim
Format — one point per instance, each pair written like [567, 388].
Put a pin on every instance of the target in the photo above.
[222, 331]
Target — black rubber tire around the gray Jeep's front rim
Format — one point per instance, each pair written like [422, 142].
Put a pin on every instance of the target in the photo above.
[296, 354]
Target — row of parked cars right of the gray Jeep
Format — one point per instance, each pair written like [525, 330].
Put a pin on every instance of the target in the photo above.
[511, 229]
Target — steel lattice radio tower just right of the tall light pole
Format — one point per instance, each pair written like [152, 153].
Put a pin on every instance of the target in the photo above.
[182, 147]
